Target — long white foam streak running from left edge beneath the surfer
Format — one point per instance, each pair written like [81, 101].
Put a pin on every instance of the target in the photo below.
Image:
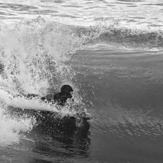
[36, 104]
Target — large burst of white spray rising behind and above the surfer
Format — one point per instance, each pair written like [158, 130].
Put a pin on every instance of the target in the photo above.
[33, 55]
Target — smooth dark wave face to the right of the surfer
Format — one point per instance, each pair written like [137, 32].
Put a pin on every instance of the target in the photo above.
[123, 92]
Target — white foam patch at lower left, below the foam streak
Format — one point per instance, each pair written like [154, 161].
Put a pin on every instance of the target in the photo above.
[12, 130]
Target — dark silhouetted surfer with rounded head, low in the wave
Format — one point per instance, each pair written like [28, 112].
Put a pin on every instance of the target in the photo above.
[59, 98]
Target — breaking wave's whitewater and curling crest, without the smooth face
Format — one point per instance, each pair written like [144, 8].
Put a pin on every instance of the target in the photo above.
[34, 55]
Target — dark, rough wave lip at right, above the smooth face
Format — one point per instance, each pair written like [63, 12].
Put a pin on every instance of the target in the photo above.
[132, 38]
